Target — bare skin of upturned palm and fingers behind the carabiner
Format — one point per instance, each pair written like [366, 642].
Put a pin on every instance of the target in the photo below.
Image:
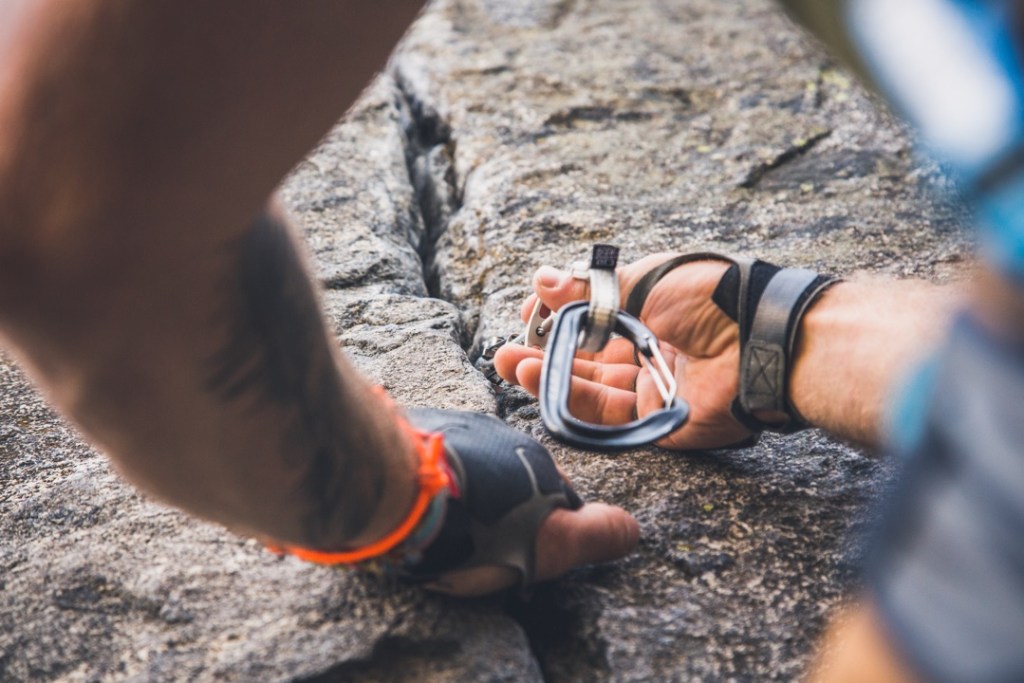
[700, 343]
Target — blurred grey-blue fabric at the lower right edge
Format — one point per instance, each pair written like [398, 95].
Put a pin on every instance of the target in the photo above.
[948, 568]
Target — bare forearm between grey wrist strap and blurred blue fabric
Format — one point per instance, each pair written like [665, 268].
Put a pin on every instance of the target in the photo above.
[858, 343]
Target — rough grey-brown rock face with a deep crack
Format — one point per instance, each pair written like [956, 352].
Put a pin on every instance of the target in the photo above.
[509, 135]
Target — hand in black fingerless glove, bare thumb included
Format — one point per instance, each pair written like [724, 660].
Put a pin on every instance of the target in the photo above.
[516, 519]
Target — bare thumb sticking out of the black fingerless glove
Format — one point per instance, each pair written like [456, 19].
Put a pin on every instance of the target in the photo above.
[595, 533]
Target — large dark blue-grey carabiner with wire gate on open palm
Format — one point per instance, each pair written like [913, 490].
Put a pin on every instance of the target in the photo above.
[557, 376]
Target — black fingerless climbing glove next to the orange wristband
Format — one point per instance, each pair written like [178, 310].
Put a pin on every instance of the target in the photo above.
[507, 487]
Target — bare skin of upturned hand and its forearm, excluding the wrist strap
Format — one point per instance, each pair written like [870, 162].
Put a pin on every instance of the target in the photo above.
[855, 344]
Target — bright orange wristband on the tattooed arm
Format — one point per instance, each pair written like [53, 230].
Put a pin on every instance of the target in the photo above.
[433, 477]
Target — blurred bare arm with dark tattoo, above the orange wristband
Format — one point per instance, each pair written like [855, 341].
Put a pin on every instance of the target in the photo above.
[139, 142]
